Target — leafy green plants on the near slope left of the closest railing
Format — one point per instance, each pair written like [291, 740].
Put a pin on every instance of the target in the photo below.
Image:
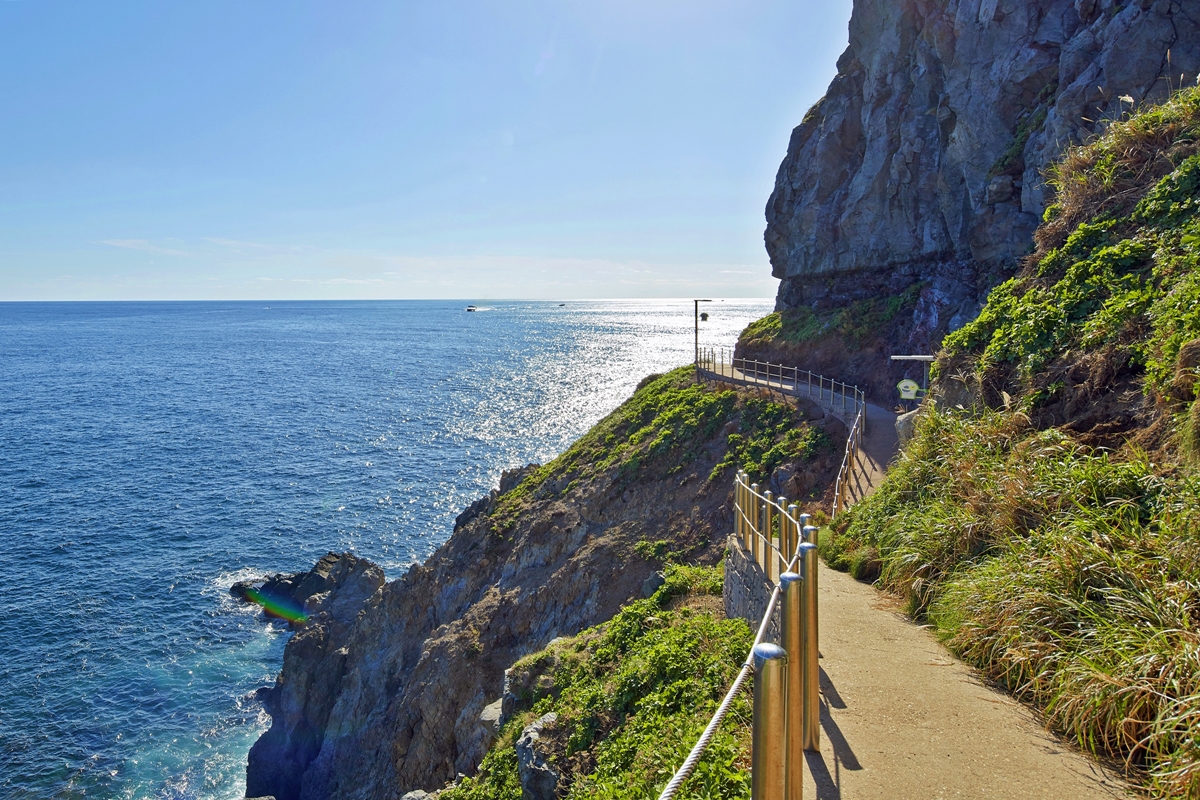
[633, 696]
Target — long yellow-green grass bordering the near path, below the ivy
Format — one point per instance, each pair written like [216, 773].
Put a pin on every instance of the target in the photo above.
[1071, 578]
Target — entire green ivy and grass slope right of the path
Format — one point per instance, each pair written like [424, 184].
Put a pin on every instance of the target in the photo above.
[1046, 518]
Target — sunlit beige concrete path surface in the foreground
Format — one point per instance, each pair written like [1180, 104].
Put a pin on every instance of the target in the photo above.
[903, 720]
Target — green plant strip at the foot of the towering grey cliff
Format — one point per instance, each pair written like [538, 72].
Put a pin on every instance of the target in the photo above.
[856, 324]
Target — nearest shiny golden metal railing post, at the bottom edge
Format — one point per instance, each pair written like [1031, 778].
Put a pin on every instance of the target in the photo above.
[767, 755]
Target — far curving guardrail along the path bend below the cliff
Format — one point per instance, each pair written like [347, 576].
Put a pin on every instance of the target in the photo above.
[847, 402]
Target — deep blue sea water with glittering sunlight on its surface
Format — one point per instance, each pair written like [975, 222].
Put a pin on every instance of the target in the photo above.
[153, 454]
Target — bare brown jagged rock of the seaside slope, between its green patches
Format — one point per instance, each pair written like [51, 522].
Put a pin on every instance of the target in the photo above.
[391, 697]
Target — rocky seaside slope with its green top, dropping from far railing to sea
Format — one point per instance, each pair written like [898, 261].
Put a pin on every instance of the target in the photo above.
[382, 691]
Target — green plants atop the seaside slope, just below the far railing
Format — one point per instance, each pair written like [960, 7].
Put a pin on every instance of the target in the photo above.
[662, 430]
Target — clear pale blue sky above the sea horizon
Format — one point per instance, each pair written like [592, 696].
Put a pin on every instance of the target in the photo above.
[261, 149]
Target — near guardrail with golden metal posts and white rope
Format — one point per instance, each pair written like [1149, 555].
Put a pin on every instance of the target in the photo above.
[787, 702]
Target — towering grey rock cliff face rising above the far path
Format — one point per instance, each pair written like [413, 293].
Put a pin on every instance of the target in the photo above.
[923, 165]
